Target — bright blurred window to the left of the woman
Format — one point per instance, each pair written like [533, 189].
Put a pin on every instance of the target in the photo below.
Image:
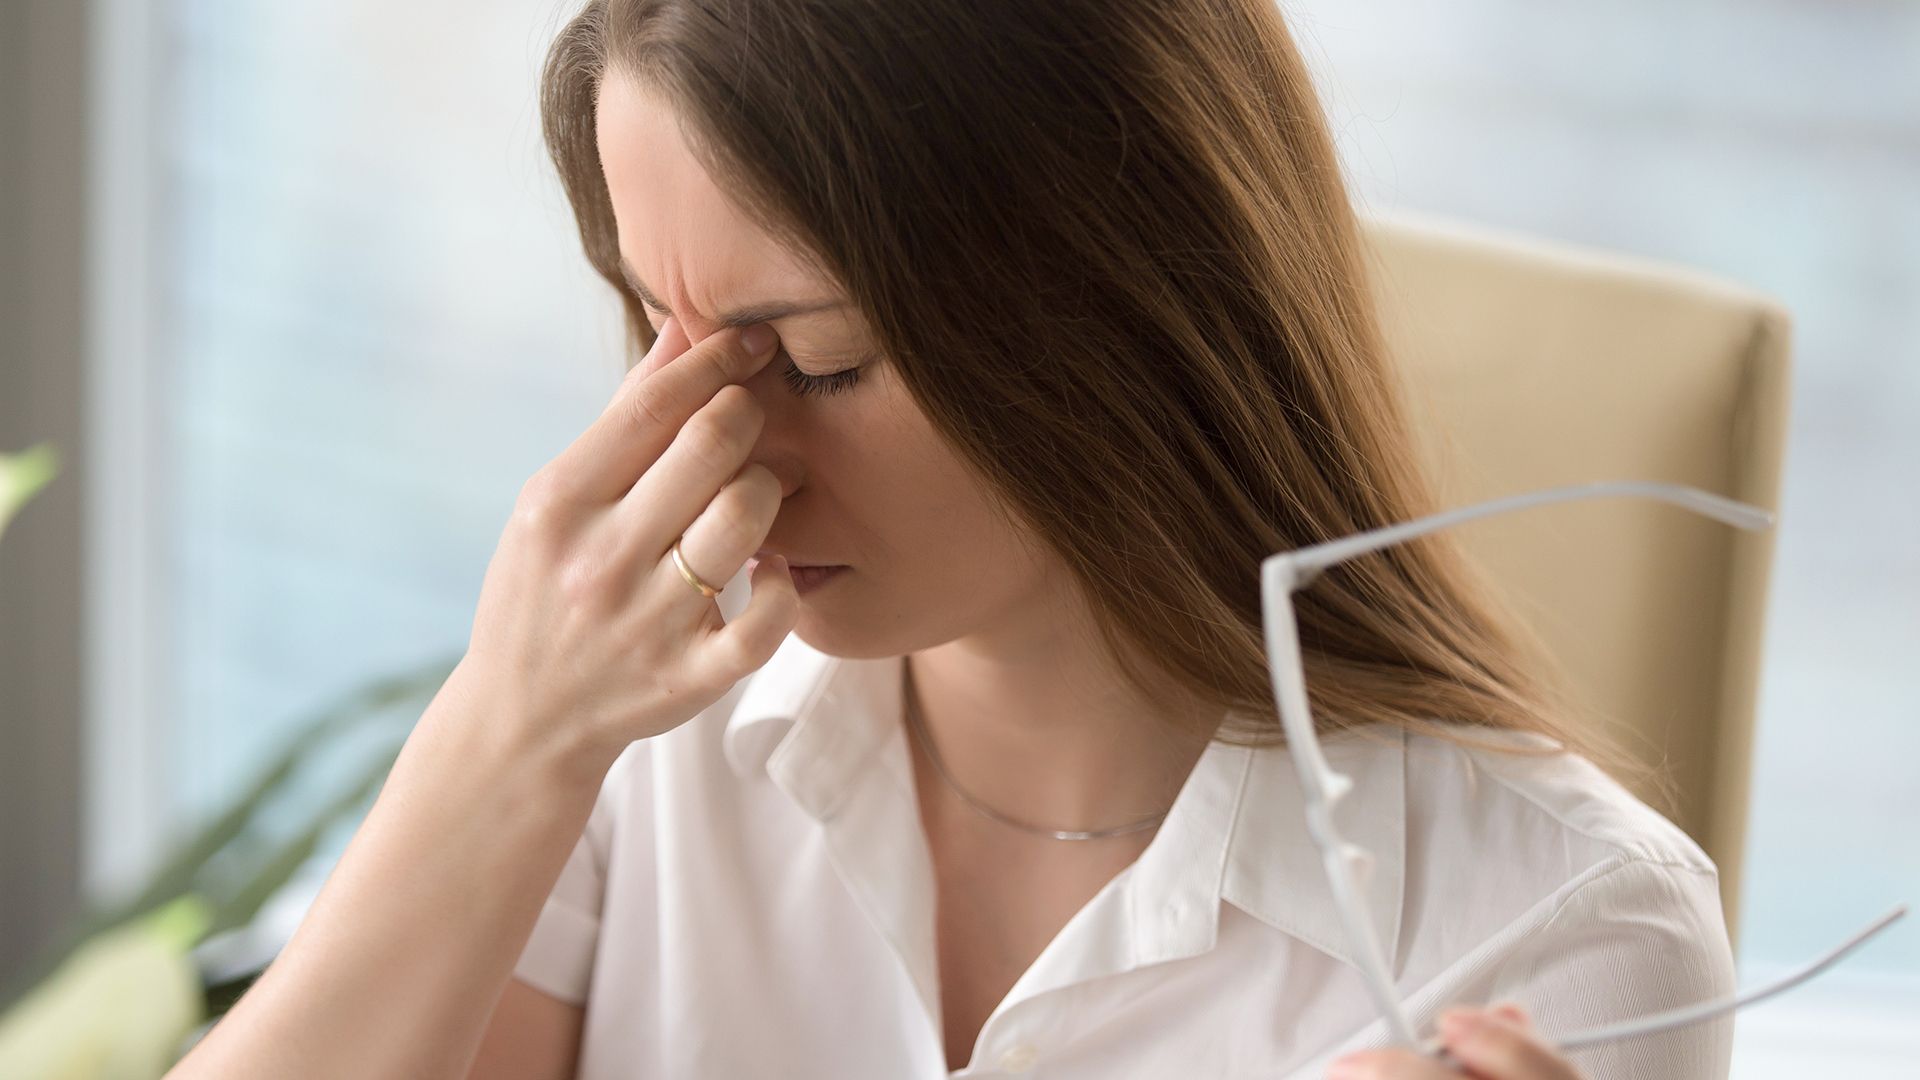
[372, 322]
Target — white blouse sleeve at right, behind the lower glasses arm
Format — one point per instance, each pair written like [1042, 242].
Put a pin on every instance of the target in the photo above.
[1641, 939]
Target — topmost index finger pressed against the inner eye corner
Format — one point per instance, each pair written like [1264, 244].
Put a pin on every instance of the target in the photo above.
[648, 412]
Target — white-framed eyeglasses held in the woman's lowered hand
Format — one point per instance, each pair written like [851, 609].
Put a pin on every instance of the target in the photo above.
[1289, 572]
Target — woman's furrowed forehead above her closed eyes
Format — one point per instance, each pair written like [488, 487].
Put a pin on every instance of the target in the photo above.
[692, 245]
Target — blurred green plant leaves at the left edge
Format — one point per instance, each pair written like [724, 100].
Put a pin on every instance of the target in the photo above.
[120, 993]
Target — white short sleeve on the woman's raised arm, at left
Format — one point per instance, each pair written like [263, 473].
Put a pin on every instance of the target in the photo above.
[560, 954]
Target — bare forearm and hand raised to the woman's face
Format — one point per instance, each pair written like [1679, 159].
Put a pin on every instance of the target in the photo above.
[587, 639]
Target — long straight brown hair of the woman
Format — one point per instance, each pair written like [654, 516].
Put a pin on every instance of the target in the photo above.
[1109, 251]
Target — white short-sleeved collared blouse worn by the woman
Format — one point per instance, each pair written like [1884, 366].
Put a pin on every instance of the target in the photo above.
[754, 896]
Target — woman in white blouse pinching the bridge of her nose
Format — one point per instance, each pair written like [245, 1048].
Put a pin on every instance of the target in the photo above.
[1072, 331]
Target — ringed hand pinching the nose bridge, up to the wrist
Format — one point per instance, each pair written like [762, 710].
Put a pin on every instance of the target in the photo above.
[587, 635]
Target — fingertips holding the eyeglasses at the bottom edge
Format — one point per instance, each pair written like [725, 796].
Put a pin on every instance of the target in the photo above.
[1491, 1044]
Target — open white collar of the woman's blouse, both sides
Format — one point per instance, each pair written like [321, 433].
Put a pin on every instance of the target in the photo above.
[1236, 833]
